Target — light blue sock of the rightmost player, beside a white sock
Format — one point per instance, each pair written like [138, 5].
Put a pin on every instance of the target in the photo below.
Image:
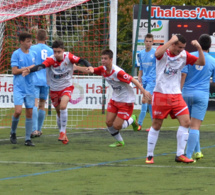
[192, 142]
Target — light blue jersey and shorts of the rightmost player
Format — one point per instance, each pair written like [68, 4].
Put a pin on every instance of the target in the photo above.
[197, 84]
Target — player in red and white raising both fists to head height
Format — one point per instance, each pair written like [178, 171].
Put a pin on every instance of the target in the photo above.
[167, 99]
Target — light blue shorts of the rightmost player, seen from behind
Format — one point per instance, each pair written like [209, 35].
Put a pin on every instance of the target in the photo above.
[197, 102]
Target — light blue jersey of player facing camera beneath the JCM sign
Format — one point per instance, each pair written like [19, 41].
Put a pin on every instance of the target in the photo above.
[147, 62]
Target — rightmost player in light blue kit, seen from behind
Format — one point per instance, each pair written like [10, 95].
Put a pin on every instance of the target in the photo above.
[196, 85]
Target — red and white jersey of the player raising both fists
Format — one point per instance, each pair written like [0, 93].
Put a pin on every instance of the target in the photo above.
[168, 71]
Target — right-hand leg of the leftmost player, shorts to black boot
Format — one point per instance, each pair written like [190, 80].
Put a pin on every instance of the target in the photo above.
[29, 104]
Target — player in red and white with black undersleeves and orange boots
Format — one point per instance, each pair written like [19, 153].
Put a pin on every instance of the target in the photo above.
[59, 78]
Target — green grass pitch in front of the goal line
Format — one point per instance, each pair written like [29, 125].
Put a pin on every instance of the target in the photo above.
[87, 166]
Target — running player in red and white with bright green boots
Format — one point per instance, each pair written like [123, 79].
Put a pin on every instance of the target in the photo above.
[120, 106]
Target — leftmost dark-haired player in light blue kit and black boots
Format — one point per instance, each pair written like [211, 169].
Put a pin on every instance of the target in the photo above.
[22, 87]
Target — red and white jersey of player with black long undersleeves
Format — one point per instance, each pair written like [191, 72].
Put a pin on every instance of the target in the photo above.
[59, 74]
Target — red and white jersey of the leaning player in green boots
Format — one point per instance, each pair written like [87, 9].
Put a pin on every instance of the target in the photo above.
[120, 82]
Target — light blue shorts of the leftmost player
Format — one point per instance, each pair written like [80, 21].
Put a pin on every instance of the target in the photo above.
[20, 98]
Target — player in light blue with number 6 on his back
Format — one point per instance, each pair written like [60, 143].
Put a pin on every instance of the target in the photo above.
[40, 85]
